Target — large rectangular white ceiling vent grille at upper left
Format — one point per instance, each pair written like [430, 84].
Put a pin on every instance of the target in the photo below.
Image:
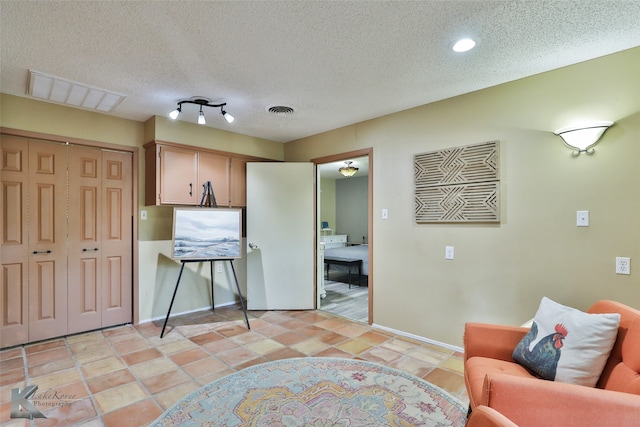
[55, 89]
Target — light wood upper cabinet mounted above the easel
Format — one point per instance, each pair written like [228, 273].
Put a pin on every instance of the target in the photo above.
[176, 175]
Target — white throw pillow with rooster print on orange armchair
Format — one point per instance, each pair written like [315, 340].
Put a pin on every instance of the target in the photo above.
[567, 345]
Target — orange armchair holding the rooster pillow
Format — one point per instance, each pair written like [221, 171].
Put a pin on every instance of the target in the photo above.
[495, 380]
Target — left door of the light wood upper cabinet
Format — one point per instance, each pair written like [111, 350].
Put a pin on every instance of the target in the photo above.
[178, 176]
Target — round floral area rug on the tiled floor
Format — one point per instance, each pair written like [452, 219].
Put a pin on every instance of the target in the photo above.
[317, 392]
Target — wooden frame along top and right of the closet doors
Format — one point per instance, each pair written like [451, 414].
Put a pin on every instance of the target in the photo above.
[134, 150]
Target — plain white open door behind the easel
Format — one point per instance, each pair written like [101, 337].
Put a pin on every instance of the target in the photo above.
[280, 236]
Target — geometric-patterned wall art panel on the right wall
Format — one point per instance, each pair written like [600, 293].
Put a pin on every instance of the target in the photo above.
[459, 184]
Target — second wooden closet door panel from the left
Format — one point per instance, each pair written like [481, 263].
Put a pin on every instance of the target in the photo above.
[47, 240]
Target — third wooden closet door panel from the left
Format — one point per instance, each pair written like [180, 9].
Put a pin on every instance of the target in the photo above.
[85, 239]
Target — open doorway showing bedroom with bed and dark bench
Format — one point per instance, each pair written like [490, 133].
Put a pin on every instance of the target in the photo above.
[344, 242]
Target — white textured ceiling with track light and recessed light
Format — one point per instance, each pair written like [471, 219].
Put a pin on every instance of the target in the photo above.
[334, 62]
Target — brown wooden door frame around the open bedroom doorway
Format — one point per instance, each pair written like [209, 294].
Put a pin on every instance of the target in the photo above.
[365, 152]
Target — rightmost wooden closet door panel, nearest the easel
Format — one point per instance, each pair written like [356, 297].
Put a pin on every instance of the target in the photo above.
[117, 238]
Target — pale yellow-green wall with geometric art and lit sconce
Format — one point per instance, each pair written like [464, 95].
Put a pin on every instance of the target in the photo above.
[500, 272]
